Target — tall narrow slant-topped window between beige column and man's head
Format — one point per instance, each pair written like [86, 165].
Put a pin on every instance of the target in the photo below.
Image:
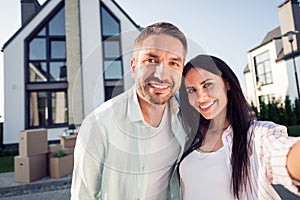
[112, 61]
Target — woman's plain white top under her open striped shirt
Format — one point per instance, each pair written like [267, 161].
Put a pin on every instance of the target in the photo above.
[205, 176]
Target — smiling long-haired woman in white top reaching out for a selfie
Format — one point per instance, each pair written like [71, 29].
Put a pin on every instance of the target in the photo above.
[231, 156]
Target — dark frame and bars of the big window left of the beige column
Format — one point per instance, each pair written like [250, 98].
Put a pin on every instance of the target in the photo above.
[48, 86]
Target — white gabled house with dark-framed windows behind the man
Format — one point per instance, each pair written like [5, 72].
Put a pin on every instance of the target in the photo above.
[68, 57]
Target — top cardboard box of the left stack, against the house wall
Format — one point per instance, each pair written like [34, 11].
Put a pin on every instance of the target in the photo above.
[33, 142]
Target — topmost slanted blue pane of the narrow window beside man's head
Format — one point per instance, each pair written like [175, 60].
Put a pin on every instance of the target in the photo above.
[110, 25]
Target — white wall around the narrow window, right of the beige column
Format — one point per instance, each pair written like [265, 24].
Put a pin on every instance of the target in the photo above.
[92, 65]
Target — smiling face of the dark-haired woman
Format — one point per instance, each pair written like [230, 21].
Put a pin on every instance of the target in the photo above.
[207, 93]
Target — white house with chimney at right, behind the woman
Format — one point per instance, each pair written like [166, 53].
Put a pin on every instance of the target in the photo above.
[270, 71]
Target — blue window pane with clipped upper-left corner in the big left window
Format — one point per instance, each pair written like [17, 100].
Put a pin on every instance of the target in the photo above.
[37, 49]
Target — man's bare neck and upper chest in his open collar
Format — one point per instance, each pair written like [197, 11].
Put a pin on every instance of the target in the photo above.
[152, 113]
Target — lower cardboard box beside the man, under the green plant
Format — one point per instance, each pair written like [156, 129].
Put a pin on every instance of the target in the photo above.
[62, 166]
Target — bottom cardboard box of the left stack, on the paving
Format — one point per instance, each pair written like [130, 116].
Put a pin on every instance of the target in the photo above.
[30, 168]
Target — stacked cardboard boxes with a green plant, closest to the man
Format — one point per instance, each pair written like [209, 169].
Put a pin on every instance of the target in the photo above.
[62, 166]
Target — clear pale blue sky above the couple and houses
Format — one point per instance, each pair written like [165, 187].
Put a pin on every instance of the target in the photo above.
[226, 29]
